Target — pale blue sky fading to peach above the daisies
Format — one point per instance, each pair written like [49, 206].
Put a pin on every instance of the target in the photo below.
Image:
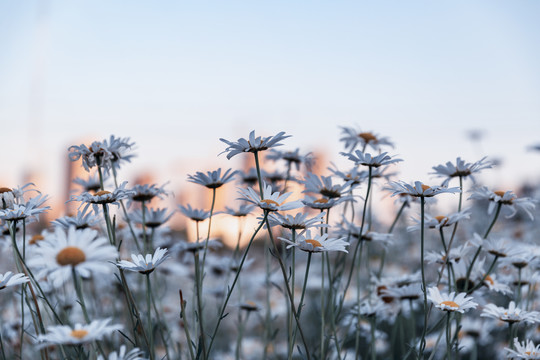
[176, 76]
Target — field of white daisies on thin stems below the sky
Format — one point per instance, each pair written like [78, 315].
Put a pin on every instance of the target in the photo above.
[314, 274]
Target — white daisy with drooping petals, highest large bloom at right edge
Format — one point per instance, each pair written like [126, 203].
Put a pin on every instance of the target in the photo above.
[507, 199]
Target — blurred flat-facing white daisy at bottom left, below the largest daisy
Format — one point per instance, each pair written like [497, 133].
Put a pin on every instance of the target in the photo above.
[79, 334]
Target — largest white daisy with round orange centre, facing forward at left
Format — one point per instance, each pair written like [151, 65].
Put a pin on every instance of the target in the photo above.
[62, 251]
